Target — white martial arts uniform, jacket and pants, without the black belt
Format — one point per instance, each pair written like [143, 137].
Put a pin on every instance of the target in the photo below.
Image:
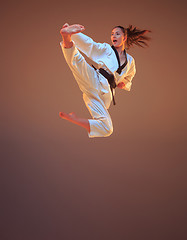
[95, 88]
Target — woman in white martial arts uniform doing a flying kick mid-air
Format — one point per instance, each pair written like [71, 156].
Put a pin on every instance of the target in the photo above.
[96, 89]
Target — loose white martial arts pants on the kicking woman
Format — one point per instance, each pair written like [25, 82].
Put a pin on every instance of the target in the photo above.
[96, 92]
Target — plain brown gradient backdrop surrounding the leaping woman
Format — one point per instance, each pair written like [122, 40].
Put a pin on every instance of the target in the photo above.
[56, 183]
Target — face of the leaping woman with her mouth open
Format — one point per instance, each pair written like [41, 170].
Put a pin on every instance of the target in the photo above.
[117, 37]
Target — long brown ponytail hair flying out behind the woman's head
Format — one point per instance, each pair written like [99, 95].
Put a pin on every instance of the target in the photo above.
[135, 36]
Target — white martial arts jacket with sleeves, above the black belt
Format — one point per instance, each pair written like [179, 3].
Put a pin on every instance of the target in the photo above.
[104, 55]
